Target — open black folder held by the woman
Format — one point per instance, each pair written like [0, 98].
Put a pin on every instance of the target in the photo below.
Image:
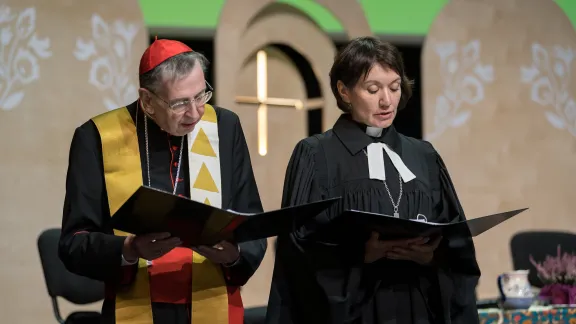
[391, 227]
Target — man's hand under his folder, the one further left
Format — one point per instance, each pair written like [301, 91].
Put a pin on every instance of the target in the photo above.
[149, 246]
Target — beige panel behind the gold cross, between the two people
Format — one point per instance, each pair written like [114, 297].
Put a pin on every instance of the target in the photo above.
[285, 127]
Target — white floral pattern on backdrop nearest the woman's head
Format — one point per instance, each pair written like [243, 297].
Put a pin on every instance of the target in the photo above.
[463, 77]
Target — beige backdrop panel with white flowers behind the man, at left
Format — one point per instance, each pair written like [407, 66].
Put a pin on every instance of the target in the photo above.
[61, 63]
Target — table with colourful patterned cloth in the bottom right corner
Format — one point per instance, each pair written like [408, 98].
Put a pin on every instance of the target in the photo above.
[536, 314]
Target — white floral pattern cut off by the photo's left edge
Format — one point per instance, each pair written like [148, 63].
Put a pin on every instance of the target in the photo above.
[20, 48]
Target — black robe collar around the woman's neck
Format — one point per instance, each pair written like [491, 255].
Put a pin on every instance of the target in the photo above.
[353, 135]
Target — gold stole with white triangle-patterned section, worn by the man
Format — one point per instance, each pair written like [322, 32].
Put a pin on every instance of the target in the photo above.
[123, 176]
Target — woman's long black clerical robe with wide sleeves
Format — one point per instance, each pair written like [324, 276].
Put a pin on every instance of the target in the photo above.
[319, 275]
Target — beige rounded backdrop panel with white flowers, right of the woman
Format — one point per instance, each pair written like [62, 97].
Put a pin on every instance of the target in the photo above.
[499, 107]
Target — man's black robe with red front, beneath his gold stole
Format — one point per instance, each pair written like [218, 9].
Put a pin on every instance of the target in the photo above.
[89, 247]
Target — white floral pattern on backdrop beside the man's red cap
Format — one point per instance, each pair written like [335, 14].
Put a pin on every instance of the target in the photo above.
[110, 52]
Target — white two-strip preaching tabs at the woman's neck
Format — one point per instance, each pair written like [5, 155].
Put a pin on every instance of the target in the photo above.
[376, 163]
